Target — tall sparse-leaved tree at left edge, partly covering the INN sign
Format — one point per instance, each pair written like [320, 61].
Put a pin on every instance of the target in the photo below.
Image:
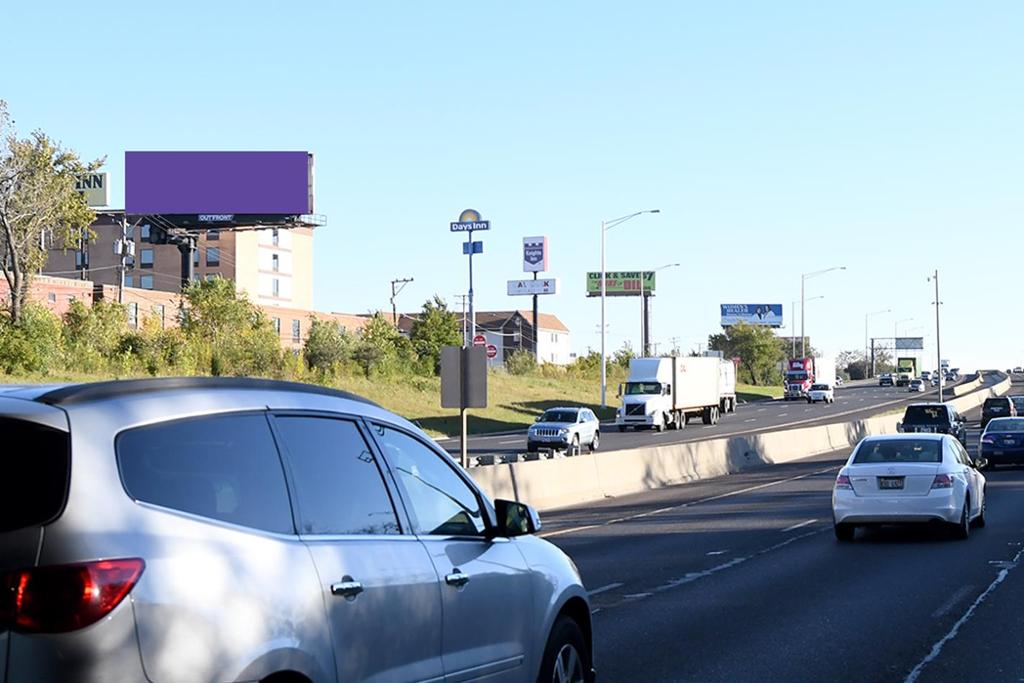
[37, 199]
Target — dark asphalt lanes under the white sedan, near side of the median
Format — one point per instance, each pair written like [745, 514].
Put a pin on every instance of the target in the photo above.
[741, 579]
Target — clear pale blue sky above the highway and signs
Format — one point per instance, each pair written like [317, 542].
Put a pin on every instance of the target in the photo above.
[777, 139]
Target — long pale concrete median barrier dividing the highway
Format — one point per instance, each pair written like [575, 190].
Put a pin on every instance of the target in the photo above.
[554, 484]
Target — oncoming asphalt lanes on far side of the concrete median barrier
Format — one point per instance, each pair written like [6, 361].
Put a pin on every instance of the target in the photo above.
[851, 404]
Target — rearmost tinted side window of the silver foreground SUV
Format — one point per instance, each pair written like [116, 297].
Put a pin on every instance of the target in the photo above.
[225, 467]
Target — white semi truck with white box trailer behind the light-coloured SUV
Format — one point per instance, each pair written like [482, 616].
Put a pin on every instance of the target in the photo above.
[664, 394]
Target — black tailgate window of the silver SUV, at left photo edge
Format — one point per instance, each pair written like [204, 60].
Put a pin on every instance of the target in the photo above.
[36, 465]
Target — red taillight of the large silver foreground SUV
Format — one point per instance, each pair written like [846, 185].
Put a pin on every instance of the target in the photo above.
[59, 600]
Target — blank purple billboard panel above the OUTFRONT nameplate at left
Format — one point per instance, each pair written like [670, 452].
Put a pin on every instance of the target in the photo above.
[219, 183]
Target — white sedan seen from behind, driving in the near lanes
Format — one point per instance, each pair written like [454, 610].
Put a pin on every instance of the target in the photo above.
[908, 479]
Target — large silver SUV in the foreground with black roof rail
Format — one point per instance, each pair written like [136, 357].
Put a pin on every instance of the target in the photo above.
[235, 530]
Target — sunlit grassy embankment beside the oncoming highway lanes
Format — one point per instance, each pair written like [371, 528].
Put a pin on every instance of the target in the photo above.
[514, 403]
